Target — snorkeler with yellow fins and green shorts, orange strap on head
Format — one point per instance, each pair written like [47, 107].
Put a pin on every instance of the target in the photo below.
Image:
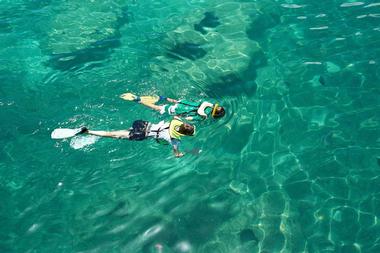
[182, 108]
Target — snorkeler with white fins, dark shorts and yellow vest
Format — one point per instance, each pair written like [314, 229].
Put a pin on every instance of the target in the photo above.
[163, 132]
